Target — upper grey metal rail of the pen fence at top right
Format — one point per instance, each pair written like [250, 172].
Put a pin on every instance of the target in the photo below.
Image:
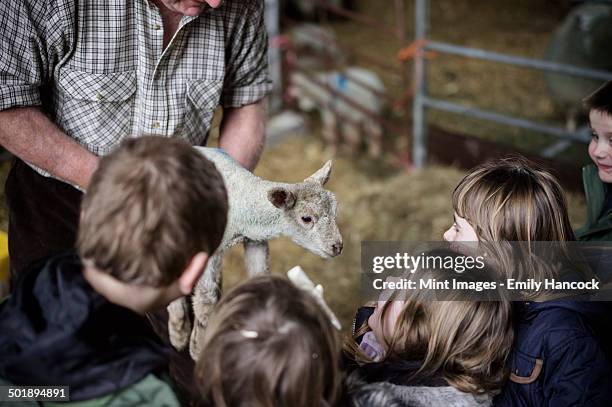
[518, 61]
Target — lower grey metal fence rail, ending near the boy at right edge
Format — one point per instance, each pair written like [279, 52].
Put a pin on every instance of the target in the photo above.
[504, 119]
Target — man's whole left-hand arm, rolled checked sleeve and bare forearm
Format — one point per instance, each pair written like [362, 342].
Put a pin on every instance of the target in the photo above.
[34, 36]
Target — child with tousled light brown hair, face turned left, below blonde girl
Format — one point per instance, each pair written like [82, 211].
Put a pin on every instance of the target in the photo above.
[420, 350]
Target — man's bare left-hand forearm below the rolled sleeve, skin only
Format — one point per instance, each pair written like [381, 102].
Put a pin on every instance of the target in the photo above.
[30, 135]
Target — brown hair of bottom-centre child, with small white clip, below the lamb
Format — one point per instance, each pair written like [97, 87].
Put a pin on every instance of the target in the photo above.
[269, 344]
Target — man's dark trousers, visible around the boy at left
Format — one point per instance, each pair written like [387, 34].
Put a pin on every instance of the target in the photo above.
[43, 220]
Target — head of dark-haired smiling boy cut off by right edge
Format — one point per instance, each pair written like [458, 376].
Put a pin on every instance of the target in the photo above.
[599, 106]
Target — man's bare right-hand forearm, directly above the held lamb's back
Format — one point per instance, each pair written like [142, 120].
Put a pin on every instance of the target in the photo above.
[243, 133]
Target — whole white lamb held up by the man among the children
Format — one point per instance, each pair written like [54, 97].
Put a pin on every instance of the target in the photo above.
[258, 211]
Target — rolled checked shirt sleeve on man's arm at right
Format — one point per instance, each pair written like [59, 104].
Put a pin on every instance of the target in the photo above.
[247, 79]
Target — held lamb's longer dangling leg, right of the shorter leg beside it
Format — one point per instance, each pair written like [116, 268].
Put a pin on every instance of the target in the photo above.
[205, 296]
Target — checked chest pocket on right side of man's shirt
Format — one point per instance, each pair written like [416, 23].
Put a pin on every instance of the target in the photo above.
[203, 97]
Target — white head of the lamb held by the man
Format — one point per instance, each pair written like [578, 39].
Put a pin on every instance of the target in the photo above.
[309, 213]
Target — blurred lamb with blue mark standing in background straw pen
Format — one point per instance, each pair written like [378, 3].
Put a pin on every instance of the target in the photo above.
[338, 116]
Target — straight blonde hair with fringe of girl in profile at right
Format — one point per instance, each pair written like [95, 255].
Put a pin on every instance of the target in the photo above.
[519, 213]
